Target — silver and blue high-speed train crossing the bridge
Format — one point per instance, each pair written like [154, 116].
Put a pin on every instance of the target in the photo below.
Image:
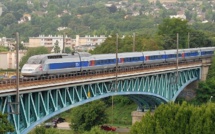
[52, 64]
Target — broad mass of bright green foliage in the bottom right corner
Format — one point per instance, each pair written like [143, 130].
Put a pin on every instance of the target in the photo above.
[180, 119]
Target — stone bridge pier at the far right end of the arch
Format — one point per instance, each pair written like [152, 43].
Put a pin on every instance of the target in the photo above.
[205, 66]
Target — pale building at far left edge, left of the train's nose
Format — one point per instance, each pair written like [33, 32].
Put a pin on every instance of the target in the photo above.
[9, 59]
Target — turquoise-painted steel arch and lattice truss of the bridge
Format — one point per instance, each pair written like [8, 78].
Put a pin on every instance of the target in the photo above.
[146, 90]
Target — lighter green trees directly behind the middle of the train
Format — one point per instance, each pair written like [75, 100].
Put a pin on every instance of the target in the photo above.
[142, 43]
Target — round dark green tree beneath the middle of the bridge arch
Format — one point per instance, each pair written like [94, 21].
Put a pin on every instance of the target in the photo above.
[87, 116]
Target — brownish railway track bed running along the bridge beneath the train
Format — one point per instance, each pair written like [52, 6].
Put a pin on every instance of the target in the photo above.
[11, 84]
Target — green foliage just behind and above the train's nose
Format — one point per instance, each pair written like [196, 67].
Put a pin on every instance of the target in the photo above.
[31, 52]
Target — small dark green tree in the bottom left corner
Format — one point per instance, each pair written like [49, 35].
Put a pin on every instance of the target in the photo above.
[5, 125]
